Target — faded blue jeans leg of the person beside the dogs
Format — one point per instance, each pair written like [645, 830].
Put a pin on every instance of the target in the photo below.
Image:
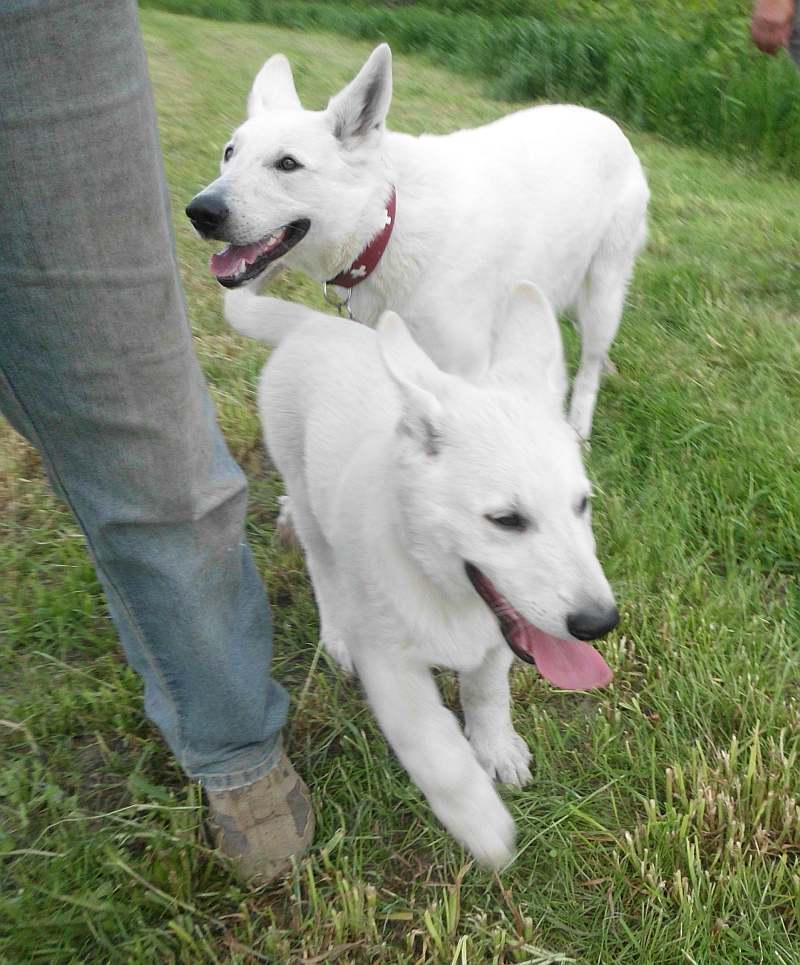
[97, 370]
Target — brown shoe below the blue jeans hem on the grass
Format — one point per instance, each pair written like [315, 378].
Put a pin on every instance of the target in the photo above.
[261, 826]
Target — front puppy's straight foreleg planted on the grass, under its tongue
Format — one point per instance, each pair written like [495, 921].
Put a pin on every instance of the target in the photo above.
[486, 701]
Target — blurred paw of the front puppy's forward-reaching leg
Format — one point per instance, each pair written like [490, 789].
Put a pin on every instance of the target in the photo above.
[476, 817]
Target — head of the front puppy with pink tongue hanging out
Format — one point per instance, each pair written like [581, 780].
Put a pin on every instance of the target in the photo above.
[493, 492]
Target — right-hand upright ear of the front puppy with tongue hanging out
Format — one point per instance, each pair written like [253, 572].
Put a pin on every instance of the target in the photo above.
[527, 348]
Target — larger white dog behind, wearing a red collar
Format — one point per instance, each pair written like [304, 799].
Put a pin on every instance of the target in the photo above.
[552, 193]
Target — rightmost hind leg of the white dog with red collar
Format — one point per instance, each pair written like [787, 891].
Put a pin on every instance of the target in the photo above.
[600, 300]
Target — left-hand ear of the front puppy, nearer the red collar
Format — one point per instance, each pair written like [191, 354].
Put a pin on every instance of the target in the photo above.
[418, 380]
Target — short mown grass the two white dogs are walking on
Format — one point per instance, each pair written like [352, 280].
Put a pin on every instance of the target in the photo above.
[662, 823]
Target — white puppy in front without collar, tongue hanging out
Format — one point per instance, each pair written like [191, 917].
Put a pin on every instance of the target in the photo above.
[445, 522]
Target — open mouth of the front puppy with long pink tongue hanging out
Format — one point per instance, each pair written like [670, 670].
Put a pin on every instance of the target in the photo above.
[569, 664]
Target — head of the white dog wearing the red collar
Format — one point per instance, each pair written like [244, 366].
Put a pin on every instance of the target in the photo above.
[297, 188]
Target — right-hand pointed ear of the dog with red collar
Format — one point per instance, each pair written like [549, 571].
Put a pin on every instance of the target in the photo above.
[360, 109]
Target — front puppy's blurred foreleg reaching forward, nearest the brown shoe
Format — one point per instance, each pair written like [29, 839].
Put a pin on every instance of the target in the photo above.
[430, 745]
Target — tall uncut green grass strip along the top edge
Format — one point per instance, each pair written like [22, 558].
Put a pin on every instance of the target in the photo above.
[686, 71]
